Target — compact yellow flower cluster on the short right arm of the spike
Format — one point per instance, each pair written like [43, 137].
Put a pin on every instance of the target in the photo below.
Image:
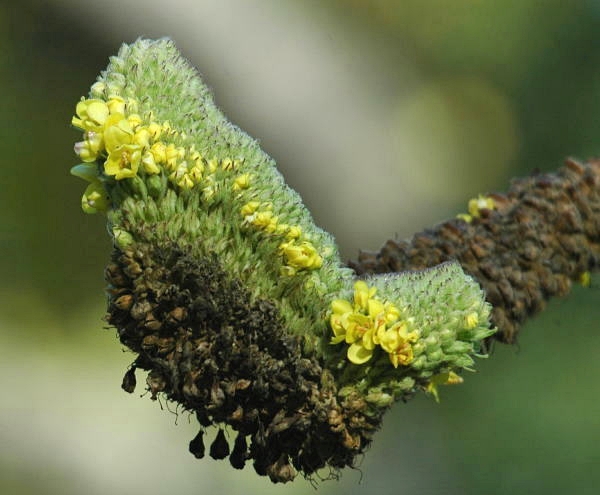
[368, 322]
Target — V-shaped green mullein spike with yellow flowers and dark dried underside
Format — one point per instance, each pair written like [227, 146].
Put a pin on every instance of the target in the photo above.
[235, 303]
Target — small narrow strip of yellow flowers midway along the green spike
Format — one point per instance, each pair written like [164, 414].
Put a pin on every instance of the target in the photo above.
[298, 253]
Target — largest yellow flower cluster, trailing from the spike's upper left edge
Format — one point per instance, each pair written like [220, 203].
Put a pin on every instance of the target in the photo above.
[128, 145]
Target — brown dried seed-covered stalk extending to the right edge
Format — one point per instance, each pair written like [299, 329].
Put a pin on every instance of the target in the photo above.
[542, 235]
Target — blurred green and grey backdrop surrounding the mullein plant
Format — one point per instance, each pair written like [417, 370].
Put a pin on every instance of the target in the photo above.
[387, 117]
